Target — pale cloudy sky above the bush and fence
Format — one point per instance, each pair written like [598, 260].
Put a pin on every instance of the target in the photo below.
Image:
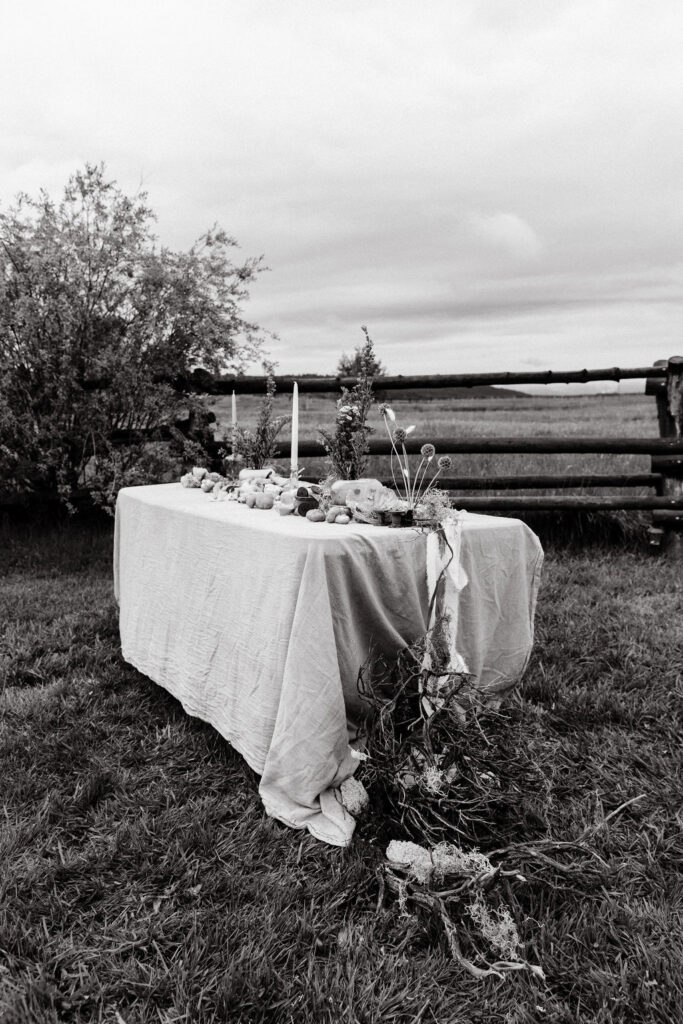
[488, 185]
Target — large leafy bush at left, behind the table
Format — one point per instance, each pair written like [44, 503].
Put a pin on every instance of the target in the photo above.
[97, 321]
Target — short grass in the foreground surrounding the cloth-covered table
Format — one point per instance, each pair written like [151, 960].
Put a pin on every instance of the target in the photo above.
[142, 882]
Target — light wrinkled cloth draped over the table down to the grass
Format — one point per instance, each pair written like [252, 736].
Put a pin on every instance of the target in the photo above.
[259, 624]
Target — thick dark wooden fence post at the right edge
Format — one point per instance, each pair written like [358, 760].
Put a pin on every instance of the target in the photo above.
[667, 529]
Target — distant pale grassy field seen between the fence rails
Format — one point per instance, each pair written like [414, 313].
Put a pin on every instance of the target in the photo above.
[601, 416]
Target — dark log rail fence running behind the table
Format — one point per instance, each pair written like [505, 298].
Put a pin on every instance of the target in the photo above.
[664, 381]
